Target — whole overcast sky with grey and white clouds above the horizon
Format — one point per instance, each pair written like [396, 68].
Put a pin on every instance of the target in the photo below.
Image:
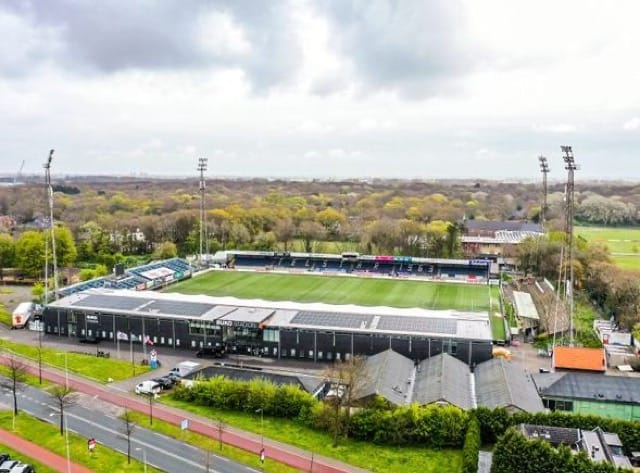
[413, 89]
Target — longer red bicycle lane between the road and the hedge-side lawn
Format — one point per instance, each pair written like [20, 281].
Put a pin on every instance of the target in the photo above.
[291, 456]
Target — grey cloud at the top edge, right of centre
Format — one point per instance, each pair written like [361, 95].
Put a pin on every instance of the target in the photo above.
[416, 48]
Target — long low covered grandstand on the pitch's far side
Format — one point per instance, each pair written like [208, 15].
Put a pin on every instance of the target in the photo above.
[469, 270]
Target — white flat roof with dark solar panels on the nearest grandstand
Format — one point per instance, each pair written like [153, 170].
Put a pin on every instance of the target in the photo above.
[285, 314]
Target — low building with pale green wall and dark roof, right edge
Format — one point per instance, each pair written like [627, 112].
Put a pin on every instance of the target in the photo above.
[616, 397]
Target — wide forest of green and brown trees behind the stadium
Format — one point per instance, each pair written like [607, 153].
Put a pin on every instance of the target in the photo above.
[101, 221]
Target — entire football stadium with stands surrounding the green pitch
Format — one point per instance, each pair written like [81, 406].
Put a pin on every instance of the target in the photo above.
[286, 305]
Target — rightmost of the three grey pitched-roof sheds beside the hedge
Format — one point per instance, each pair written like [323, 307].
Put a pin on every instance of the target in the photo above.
[500, 383]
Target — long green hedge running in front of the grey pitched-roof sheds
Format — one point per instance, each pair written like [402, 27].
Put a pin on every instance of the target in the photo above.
[429, 426]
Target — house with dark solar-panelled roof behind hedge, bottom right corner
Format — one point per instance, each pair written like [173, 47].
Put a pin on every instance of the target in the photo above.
[599, 445]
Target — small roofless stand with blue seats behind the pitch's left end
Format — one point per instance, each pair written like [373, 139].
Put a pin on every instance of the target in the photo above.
[141, 278]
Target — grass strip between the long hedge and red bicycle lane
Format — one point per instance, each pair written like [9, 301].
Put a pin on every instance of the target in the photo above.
[377, 458]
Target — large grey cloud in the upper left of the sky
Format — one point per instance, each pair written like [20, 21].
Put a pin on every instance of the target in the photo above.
[119, 35]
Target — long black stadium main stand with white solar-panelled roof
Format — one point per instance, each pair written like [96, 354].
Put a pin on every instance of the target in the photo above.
[319, 332]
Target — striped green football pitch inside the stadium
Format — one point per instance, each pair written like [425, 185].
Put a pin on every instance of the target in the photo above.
[342, 290]
